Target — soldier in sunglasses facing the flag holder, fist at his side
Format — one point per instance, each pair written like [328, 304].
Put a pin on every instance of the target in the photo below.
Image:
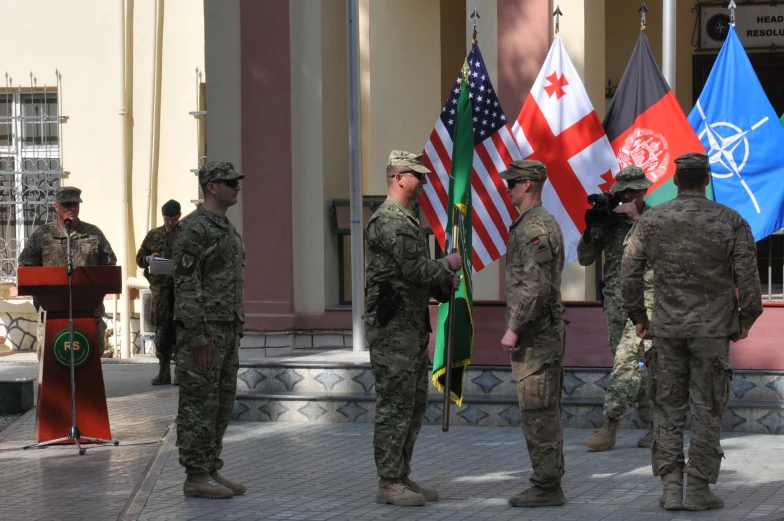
[536, 330]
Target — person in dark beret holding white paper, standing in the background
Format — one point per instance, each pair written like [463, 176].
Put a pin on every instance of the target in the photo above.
[156, 244]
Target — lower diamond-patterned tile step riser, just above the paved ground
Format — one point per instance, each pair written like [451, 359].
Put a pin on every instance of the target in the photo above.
[478, 410]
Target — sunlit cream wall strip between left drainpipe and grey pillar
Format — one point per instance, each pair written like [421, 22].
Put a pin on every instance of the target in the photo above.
[182, 53]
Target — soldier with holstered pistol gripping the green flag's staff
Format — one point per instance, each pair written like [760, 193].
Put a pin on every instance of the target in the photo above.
[400, 279]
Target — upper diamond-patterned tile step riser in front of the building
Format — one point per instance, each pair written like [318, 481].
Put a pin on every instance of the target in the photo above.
[342, 377]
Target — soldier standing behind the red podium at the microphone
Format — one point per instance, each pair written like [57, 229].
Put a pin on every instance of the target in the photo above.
[89, 247]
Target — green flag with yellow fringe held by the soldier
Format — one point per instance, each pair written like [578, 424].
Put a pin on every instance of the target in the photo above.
[460, 198]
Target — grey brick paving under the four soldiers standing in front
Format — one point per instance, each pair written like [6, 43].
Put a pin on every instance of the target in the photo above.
[315, 472]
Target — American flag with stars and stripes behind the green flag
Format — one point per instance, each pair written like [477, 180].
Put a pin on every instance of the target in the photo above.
[494, 149]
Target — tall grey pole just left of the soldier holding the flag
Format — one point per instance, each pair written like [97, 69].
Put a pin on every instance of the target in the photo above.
[355, 165]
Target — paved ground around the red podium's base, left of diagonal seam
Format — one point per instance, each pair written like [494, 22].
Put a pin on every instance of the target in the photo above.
[56, 483]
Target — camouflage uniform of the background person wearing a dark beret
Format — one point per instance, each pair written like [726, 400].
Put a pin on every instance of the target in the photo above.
[158, 240]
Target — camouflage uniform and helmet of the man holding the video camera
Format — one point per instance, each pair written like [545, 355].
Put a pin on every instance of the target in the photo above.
[626, 385]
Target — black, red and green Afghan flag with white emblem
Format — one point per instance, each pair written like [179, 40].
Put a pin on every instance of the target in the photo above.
[645, 124]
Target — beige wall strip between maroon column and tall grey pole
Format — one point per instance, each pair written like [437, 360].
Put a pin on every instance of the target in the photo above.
[320, 146]
